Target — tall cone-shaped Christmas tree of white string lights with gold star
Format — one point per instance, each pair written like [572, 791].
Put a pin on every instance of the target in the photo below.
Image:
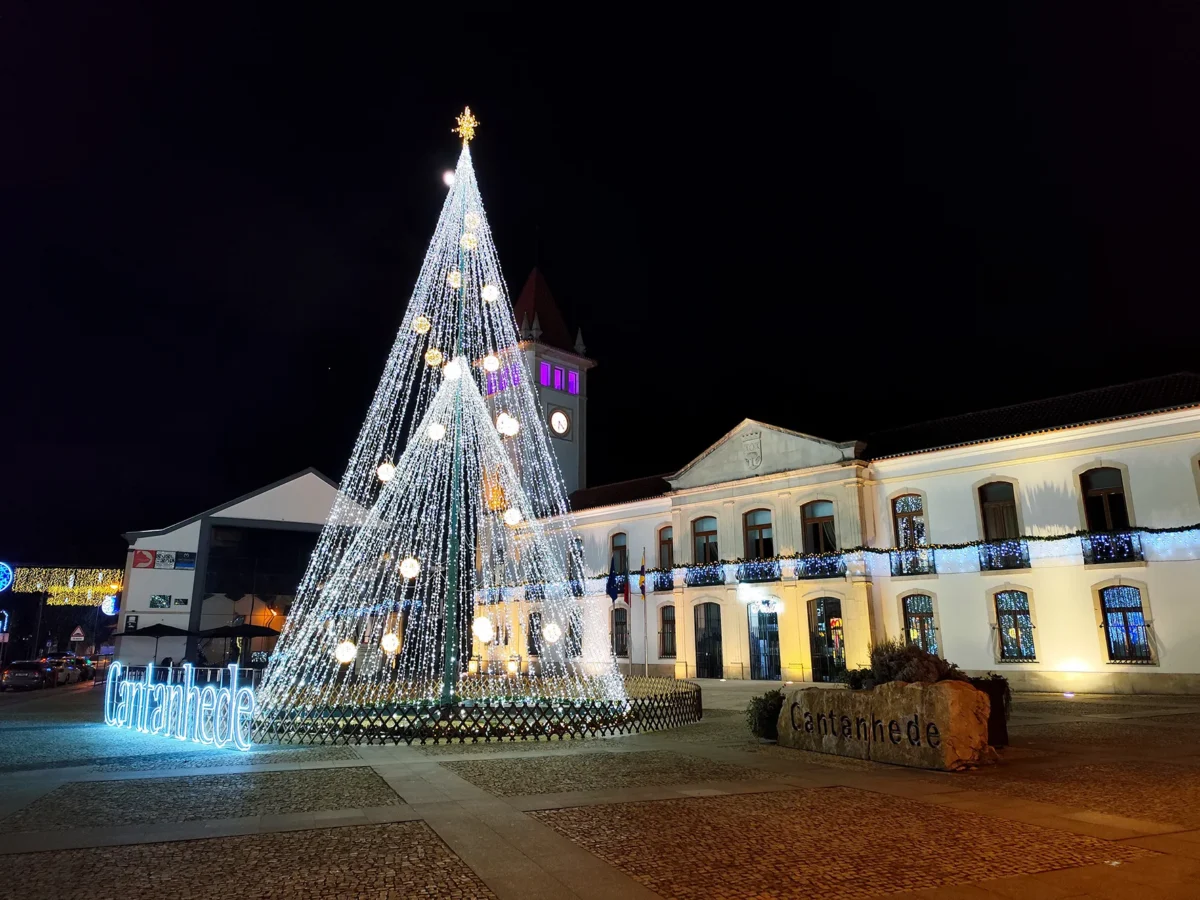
[447, 579]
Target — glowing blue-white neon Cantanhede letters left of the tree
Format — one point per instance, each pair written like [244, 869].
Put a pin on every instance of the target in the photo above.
[206, 713]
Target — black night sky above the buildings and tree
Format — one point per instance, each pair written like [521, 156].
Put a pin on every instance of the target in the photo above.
[848, 220]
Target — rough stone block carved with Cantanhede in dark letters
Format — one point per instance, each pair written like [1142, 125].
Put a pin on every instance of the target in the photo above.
[931, 727]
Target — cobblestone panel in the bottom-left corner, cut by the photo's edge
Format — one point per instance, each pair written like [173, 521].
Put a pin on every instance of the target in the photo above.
[388, 861]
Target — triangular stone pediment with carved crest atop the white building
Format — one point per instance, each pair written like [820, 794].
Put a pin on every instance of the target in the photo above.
[754, 449]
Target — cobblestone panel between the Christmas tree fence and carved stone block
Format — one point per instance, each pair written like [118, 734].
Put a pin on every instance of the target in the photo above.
[596, 772]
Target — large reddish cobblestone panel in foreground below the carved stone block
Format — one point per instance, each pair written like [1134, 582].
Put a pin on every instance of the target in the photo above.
[795, 845]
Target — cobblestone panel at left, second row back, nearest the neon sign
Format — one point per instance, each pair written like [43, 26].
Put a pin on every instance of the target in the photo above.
[183, 800]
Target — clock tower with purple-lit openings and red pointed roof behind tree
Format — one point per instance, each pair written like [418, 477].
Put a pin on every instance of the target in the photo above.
[561, 376]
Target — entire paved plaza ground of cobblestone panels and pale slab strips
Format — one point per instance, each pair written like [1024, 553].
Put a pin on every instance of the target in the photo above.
[1097, 797]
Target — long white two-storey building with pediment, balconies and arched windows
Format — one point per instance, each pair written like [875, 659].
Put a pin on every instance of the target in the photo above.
[1067, 559]
